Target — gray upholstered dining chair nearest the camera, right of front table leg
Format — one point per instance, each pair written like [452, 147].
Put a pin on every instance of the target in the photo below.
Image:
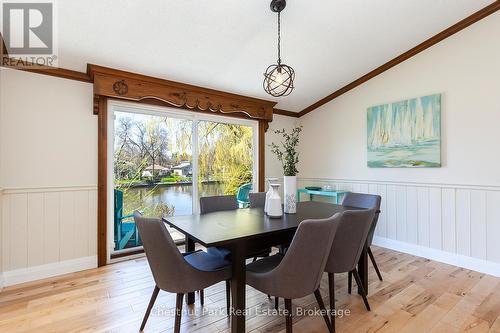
[278, 275]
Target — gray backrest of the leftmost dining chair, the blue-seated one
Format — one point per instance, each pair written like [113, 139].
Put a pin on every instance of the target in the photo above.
[170, 271]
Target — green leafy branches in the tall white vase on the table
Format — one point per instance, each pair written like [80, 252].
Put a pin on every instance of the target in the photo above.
[287, 152]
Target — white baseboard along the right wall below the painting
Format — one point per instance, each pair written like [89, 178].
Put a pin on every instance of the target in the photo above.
[482, 266]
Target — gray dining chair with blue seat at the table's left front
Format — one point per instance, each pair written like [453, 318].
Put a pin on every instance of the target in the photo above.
[174, 272]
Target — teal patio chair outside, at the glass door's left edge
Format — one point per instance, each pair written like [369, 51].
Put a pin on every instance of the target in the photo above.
[123, 231]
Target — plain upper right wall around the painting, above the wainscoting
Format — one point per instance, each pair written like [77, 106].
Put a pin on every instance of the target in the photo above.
[465, 69]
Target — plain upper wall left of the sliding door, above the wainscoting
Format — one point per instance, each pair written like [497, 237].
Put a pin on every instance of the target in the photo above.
[48, 133]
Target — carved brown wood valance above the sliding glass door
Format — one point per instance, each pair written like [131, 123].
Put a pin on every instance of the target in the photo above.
[135, 87]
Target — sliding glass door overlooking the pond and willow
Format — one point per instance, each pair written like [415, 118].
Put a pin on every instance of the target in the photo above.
[164, 160]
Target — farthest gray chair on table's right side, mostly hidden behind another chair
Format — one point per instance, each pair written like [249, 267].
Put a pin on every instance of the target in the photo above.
[368, 201]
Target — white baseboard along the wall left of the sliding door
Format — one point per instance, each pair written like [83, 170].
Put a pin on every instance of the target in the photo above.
[49, 270]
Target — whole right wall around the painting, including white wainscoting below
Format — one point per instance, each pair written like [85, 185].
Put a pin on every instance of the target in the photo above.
[450, 213]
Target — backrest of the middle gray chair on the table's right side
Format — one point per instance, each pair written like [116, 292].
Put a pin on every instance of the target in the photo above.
[349, 240]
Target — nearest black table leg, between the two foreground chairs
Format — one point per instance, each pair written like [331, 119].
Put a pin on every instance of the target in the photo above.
[238, 284]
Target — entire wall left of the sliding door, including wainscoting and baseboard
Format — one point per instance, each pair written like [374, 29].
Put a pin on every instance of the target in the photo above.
[48, 150]
